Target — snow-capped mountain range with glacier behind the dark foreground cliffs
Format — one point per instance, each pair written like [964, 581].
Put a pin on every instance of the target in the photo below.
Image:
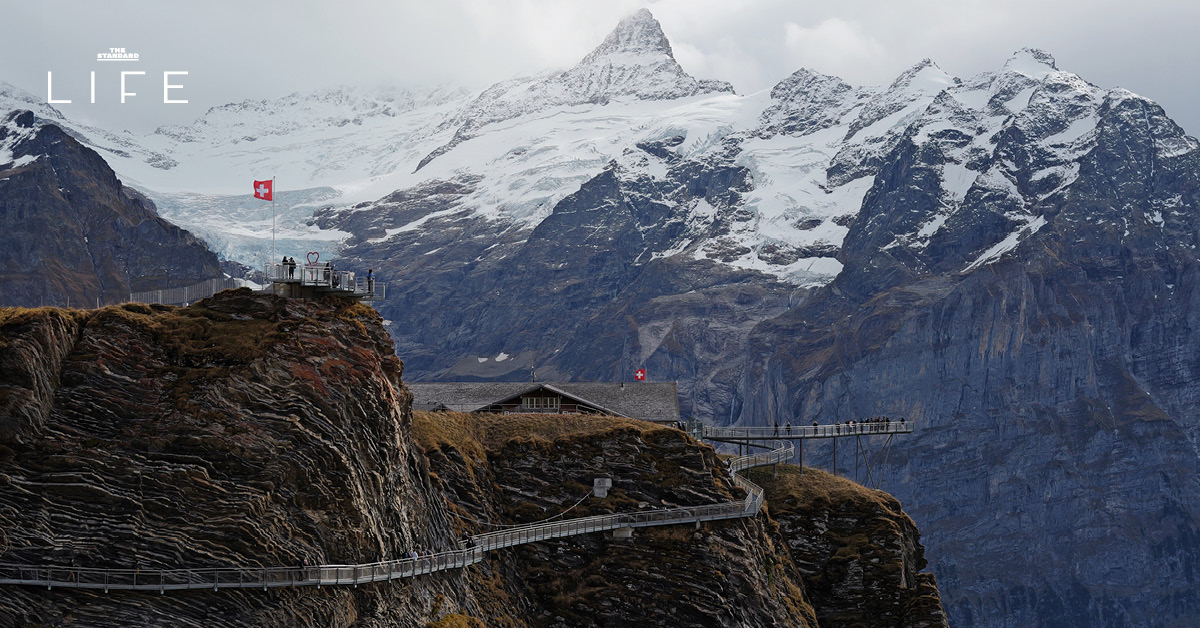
[1009, 260]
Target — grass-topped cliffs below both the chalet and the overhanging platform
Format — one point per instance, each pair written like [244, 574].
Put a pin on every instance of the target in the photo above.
[830, 554]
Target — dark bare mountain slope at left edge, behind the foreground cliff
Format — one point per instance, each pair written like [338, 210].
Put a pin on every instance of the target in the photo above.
[74, 231]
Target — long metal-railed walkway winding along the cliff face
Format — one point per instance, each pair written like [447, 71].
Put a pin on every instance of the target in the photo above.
[164, 581]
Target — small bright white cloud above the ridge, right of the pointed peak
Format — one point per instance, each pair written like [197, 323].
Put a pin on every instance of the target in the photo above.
[835, 47]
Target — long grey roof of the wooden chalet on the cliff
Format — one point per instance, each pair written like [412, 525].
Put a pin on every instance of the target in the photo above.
[639, 400]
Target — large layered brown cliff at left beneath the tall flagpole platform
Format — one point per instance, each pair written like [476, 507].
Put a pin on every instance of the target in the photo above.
[242, 430]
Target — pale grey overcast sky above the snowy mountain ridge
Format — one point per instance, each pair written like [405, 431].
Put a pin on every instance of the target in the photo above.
[262, 50]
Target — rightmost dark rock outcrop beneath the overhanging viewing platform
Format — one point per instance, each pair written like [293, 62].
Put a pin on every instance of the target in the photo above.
[859, 553]
